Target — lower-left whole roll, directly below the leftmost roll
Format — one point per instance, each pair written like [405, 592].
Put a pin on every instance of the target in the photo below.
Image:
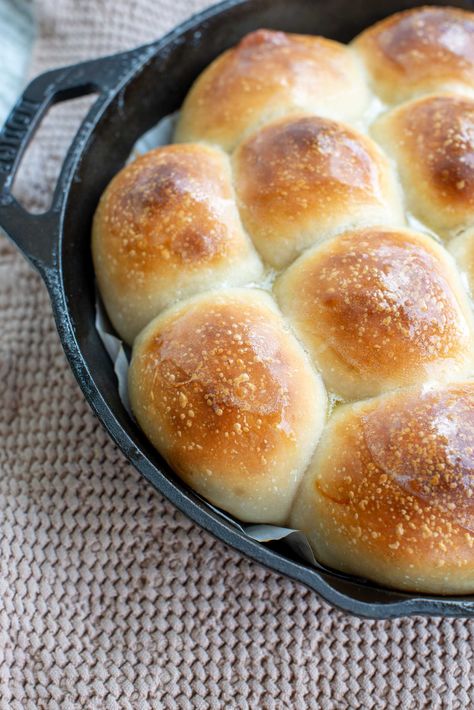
[225, 392]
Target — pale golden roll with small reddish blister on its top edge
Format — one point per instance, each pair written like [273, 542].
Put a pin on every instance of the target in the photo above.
[270, 74]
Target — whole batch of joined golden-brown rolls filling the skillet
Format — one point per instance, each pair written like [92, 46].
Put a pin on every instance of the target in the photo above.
[275, 186]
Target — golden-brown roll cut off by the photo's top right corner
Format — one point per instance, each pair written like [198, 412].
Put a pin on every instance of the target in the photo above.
[418, 51]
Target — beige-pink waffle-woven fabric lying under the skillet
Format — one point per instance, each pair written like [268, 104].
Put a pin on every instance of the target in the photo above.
[111, 599]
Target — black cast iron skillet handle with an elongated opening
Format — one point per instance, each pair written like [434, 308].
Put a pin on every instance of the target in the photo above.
[36, 235]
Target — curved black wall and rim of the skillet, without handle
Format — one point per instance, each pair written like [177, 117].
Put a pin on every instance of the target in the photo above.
[156, 90]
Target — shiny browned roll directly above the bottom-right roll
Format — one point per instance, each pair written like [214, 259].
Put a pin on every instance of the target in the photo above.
[379, 308]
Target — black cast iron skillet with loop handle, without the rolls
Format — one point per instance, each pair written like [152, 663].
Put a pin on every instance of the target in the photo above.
[135, 89]
